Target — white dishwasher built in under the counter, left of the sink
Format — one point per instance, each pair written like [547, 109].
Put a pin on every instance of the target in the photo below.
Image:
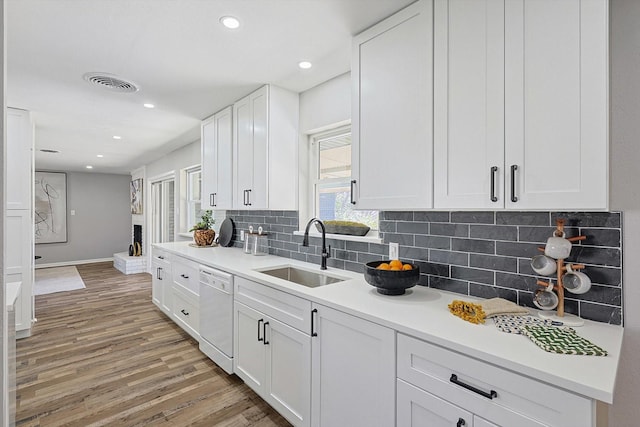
[216, 316]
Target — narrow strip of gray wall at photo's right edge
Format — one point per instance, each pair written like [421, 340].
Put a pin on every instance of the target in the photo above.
[625, 192]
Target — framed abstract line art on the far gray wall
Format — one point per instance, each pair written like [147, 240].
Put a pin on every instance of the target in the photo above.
[50, 207]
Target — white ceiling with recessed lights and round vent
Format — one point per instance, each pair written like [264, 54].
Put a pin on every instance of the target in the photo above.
[184, 61]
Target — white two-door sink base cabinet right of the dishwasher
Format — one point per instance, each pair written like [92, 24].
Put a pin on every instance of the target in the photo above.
[273, 358]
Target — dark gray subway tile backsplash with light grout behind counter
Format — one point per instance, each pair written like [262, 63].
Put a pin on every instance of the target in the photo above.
[484, 254]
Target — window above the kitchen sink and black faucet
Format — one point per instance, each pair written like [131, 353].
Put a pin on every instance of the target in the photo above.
[332, 181]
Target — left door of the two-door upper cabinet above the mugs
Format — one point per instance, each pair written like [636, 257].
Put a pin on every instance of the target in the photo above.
[468, 104]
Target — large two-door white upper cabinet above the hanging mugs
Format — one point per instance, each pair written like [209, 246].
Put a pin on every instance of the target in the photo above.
[520, 104]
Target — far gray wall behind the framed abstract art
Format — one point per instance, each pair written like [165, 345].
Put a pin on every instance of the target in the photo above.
[101, 225]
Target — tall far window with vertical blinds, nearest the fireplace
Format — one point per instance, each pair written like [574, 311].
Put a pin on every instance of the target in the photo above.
[163, 210]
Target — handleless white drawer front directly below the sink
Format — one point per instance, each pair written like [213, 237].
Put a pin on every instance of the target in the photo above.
[287, 308]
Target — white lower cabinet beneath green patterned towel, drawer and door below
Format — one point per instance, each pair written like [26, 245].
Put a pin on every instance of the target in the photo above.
[437, 386]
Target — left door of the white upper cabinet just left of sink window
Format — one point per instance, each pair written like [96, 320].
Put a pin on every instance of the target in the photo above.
[243, 151]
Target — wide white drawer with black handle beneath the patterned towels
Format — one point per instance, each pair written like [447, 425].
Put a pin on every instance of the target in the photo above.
[518, 400]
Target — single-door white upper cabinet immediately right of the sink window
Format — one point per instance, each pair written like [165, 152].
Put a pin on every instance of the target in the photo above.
[392, 112]
